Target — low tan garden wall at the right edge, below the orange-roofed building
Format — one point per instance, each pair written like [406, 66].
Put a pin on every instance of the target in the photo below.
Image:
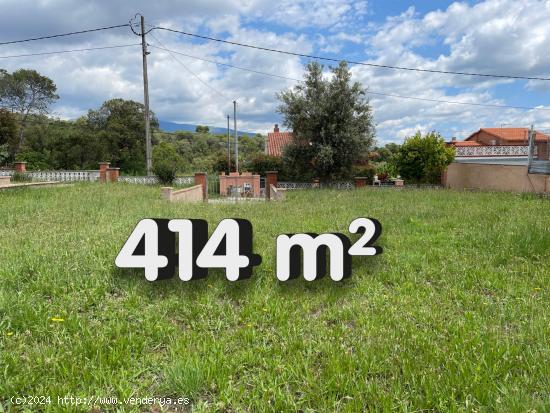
[512, 178]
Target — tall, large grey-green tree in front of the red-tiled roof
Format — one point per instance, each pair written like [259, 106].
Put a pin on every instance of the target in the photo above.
[331, 121]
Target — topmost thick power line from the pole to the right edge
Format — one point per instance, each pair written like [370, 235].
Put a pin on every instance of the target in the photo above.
[446, 72]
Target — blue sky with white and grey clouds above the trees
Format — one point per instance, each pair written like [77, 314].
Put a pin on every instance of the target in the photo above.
[494, 36]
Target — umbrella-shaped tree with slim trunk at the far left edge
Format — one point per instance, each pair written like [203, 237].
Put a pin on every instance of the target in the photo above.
[26, 92]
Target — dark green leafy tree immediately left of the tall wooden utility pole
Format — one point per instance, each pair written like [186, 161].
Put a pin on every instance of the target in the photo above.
[121, 126]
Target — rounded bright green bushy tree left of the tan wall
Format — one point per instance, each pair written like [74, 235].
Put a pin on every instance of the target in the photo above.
[422, 159]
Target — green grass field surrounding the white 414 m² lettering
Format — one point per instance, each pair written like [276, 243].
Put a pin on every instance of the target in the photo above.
[453, 316]
